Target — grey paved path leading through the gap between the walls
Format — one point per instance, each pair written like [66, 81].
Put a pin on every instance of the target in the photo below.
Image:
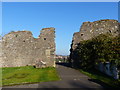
[70, 78]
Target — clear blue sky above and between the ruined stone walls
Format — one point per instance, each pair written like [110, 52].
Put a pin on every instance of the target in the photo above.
[66, 17]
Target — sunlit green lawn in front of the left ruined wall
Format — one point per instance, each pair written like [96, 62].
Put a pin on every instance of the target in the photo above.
[28, 74]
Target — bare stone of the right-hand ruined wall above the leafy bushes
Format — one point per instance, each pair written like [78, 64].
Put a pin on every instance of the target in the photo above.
[89, 30]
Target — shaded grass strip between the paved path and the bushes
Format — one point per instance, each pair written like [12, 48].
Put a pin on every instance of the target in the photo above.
[101, 77]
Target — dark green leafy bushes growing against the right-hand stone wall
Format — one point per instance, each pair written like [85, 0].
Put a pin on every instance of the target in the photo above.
[102, 48]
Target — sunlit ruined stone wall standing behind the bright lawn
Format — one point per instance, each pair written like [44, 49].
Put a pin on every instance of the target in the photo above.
[21, 48]
